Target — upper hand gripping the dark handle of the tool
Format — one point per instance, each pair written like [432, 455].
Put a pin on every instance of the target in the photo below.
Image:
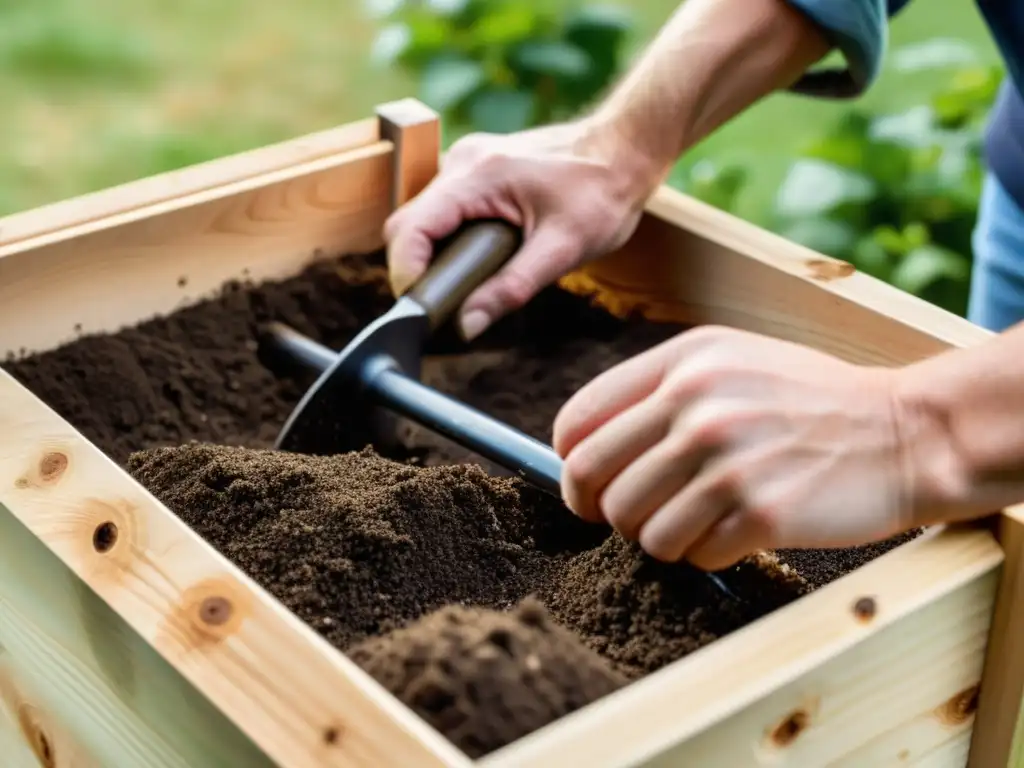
[574, 192]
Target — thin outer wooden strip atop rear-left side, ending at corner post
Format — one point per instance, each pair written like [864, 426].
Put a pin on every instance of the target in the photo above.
[79, 214]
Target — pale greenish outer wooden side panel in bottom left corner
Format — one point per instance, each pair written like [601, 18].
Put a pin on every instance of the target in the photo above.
[79, 686]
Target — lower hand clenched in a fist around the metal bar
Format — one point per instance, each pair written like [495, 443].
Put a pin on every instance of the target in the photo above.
[720, 443]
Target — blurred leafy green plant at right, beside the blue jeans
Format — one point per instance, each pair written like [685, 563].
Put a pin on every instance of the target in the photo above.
[897, 195]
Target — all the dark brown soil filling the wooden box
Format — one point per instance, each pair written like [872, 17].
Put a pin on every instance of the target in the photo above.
[481, 603]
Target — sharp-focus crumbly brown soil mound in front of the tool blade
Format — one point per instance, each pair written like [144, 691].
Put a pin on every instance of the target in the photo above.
[355, 544]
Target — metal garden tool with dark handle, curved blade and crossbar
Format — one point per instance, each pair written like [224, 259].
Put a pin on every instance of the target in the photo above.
[376, 377]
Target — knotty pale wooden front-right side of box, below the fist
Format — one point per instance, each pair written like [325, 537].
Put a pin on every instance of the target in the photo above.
[814, 684]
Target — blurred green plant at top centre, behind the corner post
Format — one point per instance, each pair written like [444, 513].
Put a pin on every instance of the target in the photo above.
[503, 66]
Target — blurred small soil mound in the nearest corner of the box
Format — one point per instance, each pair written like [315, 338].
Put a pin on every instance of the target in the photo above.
[484, 678]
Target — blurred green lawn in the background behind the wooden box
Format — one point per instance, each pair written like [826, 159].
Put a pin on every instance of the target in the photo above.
[103, 93]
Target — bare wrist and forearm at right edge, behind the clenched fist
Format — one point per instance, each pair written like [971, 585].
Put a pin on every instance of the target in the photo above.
[967, 428]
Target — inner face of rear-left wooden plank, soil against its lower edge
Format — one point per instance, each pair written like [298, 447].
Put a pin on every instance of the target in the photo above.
[164, 258]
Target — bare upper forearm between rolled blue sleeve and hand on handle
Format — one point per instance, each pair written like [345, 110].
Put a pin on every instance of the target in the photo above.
[712, 61]
